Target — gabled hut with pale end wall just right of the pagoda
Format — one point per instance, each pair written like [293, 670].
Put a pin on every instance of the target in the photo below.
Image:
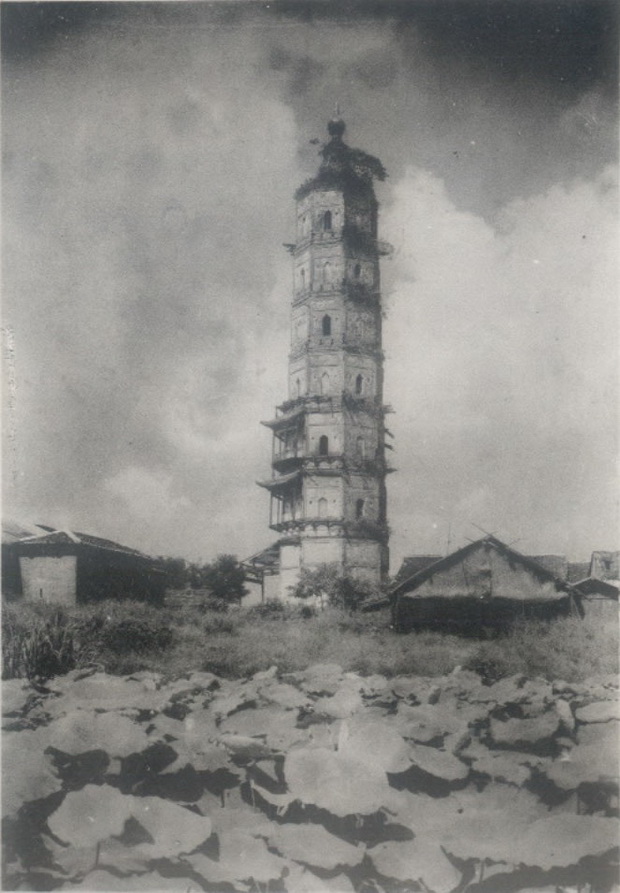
[486, 584]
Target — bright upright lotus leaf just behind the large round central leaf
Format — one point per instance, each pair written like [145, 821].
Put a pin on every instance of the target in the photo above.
[375, 744]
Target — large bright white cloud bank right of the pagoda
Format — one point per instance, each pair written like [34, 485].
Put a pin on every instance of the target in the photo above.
[502, 364]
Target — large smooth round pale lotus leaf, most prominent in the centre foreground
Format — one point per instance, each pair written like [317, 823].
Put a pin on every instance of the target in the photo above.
[336, 782]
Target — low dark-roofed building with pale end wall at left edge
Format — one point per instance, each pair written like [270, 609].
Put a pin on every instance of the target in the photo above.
[65, 567]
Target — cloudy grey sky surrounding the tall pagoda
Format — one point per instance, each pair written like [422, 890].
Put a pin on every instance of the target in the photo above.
[151, 152]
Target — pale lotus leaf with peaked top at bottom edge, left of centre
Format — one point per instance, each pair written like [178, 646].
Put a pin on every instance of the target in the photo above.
[241, 858]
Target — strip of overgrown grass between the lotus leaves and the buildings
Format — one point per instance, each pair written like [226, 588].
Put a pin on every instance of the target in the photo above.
[41, 641]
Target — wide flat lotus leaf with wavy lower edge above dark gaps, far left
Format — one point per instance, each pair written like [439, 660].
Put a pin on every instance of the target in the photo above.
[82, 730]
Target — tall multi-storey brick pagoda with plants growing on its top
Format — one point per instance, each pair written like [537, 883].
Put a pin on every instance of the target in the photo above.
[328, 494]
